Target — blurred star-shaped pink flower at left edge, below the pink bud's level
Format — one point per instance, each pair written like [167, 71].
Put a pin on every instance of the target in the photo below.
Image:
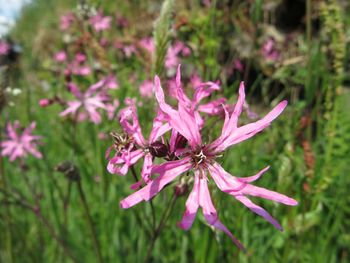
[20, 145]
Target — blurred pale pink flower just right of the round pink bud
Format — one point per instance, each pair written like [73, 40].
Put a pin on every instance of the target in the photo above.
[87, 101]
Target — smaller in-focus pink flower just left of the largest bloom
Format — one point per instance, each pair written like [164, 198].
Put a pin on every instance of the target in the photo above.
[129, 155]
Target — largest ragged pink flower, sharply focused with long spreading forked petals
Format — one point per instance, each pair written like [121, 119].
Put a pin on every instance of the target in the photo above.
[201, 159]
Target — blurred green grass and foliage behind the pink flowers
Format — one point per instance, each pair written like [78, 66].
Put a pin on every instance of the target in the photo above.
[296, 50]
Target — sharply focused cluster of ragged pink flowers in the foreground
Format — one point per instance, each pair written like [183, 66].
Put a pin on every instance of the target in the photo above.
[186, 153]
